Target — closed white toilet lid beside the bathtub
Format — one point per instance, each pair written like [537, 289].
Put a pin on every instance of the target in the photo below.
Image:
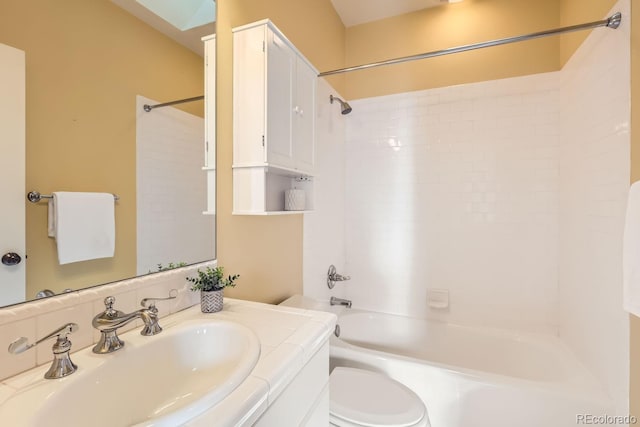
[370, 399]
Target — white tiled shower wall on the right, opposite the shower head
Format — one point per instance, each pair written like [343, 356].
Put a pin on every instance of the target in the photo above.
[594, 178]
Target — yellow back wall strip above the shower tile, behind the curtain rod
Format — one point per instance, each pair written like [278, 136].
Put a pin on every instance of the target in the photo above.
[468, 22]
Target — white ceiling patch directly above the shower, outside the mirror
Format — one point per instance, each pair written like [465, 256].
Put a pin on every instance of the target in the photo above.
[354, 12]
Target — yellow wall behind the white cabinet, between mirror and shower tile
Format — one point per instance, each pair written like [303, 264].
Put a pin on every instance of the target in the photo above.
[266, 251]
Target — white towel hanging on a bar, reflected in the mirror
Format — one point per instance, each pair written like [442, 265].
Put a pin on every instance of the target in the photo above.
[83, 225]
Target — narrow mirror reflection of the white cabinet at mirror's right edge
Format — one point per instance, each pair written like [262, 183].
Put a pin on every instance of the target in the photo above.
[210, 121]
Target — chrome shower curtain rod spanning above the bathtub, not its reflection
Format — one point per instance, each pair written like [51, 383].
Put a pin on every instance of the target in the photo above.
[612, 22]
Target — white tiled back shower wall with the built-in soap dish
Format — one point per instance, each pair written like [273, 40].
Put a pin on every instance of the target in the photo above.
[456, 189]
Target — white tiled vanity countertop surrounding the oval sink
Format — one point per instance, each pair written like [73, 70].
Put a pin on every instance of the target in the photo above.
[288, 337]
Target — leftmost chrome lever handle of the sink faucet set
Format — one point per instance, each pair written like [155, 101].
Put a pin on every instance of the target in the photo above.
[62, 364]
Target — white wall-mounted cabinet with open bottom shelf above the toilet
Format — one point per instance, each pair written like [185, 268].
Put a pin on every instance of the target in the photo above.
[274, 89]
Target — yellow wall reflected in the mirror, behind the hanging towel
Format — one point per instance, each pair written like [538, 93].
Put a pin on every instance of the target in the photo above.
[86, 62]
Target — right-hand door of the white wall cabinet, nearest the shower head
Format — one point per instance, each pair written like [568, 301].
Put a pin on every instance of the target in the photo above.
[304, 117]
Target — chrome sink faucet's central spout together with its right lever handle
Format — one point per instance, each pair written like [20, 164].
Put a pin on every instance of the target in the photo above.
[110, 320]
